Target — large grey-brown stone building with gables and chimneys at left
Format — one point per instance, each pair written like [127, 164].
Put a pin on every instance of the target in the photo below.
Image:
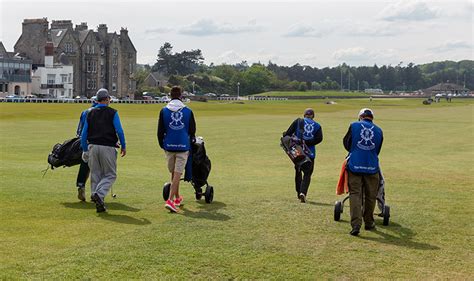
[99, 58]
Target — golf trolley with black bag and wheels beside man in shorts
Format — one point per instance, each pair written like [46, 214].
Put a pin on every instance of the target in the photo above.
[197, 171]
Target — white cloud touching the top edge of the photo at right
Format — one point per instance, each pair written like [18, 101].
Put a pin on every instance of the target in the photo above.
[409, 10]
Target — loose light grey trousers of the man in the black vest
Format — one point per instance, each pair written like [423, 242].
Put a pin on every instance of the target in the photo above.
[103, 166]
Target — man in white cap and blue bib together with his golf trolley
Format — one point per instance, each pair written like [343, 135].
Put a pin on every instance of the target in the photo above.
[361, 175]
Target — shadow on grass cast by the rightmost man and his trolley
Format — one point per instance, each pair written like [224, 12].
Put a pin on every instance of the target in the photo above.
[403, 237]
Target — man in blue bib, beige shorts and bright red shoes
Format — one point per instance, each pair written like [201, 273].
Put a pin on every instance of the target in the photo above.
[176, 132]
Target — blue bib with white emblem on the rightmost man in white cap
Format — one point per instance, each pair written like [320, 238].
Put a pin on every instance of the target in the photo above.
[364, 142]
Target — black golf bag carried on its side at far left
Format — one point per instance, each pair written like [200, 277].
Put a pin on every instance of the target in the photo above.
[67, 154]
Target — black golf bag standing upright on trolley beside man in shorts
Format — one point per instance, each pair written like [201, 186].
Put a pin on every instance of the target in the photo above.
[198, 166]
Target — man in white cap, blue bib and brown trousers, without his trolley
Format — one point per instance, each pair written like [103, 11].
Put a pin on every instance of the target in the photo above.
[363, 141]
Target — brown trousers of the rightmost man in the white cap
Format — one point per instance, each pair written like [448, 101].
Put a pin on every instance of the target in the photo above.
[362, 190]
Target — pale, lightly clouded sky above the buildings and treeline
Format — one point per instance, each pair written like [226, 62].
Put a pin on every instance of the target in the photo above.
[318, 33]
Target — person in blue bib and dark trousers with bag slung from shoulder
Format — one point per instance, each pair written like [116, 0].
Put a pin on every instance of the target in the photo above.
[310, 133]
